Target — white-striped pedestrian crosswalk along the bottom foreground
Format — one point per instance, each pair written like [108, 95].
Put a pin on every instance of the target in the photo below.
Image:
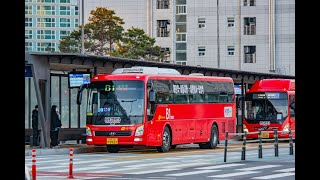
[191, 168]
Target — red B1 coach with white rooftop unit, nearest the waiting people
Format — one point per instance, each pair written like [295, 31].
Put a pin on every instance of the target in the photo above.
[158, 107]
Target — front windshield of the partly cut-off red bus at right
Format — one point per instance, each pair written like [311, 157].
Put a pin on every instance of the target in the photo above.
[266, 106]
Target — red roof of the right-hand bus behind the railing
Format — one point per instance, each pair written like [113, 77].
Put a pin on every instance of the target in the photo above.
[273, 85]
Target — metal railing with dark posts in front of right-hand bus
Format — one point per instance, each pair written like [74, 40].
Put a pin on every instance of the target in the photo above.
[275, 139]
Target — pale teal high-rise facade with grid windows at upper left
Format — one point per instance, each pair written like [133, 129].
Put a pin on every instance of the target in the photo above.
[48, 21]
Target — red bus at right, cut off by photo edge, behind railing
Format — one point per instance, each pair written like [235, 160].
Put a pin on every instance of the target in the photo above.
[269, 105]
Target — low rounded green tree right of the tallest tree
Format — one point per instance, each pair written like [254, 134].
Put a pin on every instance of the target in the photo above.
[135, 44]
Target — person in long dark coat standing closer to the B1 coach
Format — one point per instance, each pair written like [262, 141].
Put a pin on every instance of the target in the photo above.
[55, 126]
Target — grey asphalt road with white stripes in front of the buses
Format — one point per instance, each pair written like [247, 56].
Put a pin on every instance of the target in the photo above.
[182, 163]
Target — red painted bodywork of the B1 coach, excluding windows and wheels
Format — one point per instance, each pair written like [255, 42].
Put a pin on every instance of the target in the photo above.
[188, 123]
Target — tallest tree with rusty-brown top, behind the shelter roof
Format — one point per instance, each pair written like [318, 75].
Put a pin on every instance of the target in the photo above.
[106, 29]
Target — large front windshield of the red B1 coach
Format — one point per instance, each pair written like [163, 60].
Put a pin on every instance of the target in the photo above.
[116, 102]
